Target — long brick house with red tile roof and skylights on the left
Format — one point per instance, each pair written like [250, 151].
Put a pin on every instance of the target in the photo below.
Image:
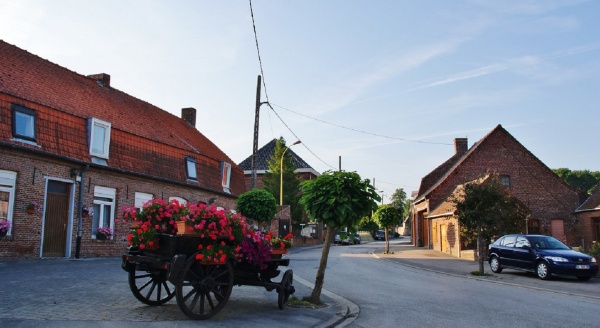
[81, 150]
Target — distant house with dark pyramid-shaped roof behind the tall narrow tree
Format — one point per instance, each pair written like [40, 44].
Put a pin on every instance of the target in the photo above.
[303, 171]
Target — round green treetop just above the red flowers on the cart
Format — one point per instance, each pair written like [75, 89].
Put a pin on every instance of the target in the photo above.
[258, 205]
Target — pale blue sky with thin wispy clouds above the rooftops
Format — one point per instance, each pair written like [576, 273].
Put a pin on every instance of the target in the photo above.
[381, 88]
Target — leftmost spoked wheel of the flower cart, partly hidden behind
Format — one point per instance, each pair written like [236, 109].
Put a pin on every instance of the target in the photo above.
[151, 286]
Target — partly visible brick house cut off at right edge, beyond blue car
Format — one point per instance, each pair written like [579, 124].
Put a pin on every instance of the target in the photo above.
[588, 219]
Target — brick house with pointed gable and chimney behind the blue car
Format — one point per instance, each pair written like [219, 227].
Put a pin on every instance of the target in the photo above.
[548, 198]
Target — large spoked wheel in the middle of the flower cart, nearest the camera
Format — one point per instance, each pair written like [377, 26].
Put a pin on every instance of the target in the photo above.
[204, 289]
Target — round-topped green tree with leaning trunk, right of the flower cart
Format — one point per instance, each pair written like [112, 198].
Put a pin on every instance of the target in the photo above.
[338, 199]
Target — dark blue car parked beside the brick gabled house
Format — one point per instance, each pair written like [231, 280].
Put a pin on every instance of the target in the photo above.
[544, 255]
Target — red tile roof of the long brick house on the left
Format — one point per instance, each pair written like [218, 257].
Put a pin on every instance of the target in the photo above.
[144, 139]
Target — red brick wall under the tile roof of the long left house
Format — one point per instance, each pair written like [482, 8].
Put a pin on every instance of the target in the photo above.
[32, 172]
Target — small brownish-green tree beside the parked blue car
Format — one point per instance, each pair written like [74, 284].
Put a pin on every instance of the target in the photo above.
[486, 209]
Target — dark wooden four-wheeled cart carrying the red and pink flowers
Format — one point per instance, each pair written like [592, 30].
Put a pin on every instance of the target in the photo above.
[201, 290]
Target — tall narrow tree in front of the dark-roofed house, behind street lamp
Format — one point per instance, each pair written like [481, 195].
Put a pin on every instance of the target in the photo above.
[291, 184]
